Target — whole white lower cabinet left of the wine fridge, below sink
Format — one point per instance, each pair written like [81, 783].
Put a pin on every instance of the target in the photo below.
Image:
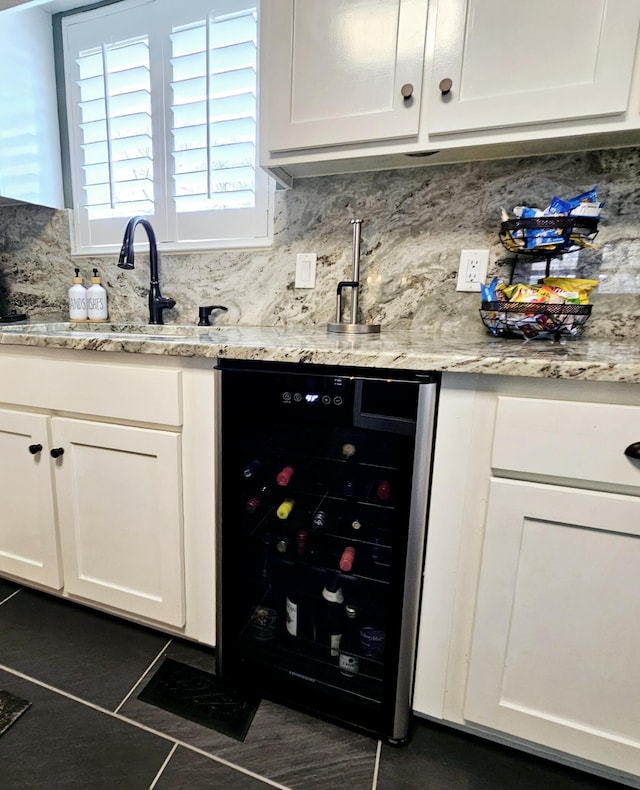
[106, 483]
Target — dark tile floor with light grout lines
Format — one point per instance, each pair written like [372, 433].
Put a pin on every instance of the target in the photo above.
[87, 730]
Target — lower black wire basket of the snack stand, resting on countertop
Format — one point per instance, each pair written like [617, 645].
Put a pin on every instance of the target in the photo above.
[533, 320]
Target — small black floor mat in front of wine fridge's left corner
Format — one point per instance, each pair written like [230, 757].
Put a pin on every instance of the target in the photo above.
[201, 697]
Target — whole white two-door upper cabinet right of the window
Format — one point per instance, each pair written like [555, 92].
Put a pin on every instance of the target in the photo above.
[348, 85]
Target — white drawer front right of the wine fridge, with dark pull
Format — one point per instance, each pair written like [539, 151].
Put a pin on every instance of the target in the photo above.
[568, 440]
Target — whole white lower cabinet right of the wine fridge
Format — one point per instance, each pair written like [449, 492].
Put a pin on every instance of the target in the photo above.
[531, 601]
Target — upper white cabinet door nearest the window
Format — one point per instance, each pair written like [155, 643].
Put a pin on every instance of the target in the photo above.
[332, 72]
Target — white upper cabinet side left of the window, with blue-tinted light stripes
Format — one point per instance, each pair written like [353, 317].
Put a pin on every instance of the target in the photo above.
[30, 166]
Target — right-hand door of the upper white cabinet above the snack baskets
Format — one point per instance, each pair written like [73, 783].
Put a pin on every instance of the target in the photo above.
[513, 62]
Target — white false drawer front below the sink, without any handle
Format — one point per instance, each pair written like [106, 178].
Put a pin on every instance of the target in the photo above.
[119, 392]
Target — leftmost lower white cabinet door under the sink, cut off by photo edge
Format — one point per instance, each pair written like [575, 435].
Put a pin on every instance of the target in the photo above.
[28, 542]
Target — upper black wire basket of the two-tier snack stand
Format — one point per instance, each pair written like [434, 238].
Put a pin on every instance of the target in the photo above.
[557, 235]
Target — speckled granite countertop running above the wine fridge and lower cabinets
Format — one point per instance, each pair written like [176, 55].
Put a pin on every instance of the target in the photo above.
[583, 359]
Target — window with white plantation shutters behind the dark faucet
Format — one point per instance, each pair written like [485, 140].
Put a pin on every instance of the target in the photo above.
[162, 106]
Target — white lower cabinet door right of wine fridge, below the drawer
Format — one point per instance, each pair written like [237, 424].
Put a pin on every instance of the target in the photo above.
[556, 641]
